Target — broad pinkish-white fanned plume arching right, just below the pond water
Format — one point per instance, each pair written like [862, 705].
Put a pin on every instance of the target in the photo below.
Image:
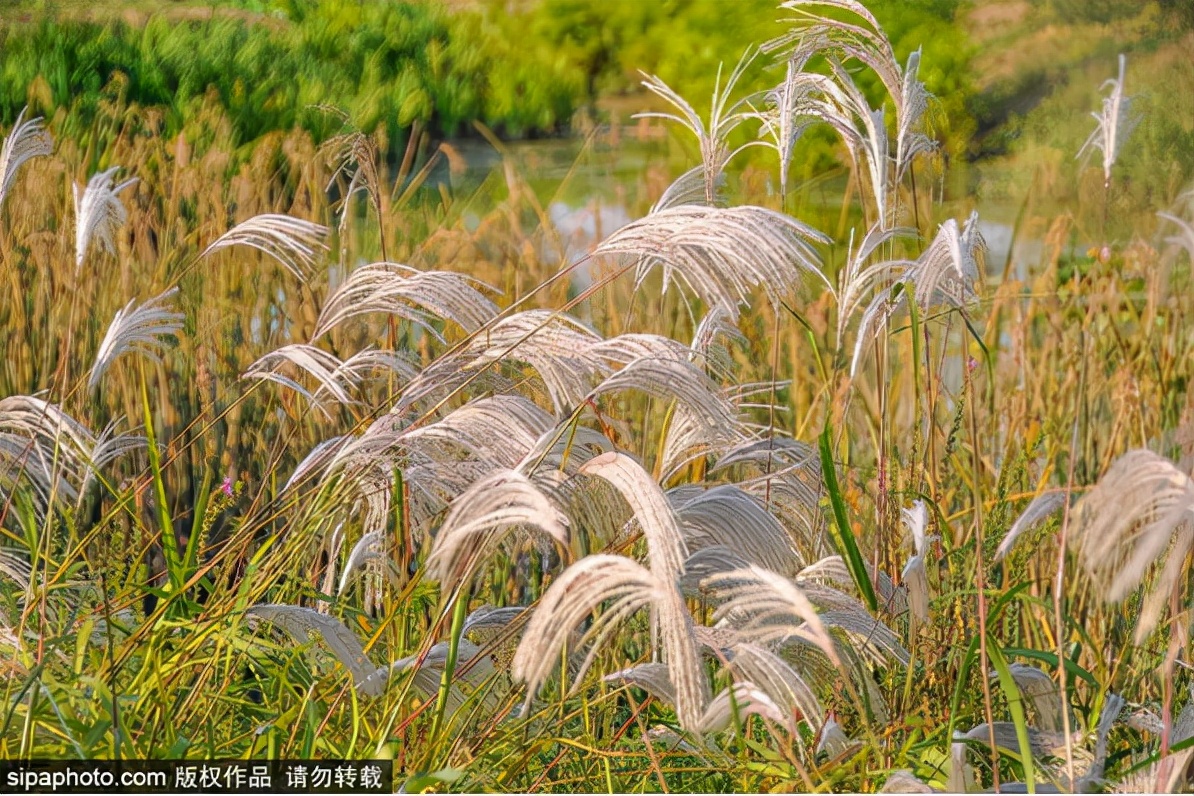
[721, 254]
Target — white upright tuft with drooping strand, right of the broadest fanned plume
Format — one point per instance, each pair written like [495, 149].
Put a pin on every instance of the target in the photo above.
[945, 274]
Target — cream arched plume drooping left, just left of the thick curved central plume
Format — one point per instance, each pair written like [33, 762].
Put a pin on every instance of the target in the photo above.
[483, 517]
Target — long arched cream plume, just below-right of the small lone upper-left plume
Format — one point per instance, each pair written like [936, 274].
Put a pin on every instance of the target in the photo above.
[410, 294]
